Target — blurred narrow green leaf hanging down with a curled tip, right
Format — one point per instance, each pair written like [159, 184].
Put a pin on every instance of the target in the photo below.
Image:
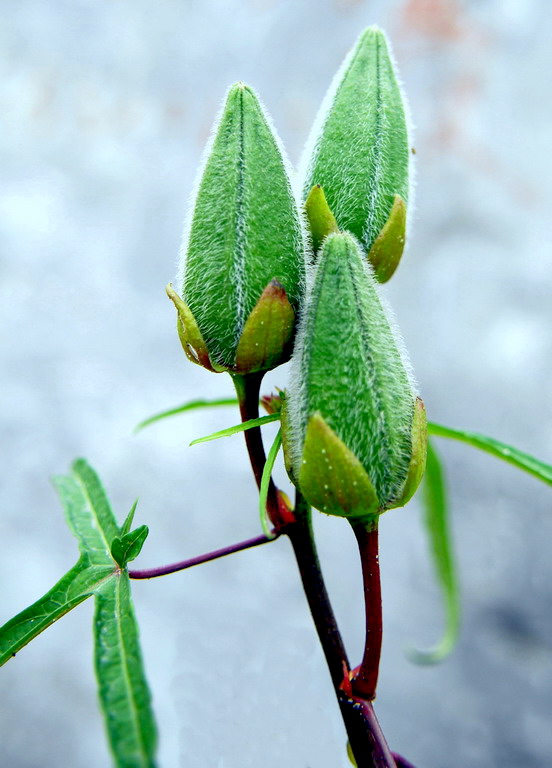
[438, 529]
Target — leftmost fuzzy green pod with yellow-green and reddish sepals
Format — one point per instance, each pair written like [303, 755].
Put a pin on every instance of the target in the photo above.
[243, 256]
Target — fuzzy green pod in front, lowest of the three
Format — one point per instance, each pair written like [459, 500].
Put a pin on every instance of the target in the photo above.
[354, 433]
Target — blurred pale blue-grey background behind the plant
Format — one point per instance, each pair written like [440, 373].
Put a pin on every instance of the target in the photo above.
[104, 110]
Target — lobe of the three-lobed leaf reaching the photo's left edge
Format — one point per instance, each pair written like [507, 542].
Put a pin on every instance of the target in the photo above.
[74, 587]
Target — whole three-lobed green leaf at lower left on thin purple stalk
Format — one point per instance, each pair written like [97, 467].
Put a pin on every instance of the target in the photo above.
[124, 693]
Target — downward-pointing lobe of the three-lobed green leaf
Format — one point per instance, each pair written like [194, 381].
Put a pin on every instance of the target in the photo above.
[124, 694]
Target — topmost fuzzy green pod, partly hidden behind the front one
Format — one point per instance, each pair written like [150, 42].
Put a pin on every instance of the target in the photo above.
[359, 152]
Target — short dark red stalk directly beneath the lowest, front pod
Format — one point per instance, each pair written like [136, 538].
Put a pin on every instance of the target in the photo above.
[366, 675]
